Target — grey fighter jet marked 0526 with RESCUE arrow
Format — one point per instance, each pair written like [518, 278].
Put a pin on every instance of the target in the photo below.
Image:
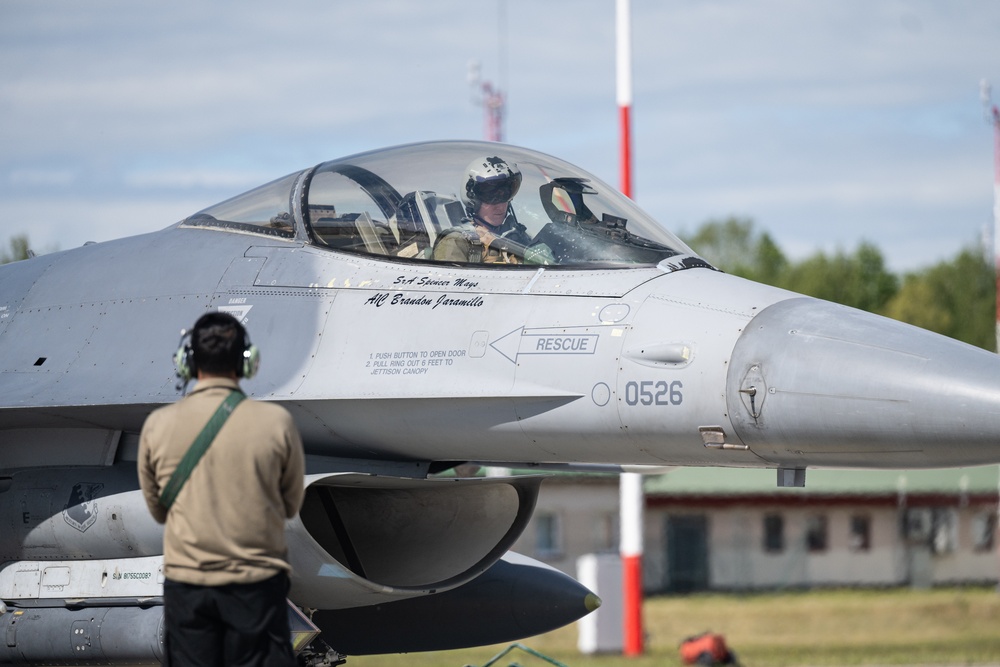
[420, 308]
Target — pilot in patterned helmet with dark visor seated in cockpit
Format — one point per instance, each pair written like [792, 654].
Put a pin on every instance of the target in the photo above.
[491, 233]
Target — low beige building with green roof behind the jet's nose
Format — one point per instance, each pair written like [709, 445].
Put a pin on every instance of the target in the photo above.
[734, 529]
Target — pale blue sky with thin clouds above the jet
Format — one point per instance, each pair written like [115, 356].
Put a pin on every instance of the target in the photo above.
[826, 122]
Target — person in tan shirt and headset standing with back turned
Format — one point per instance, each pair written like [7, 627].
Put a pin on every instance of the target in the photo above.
[224, 553]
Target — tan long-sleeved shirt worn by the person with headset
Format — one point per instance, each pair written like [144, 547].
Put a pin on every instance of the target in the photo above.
[227, 525]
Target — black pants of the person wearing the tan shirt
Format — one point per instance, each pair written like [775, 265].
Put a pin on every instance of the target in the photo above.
[237, 625]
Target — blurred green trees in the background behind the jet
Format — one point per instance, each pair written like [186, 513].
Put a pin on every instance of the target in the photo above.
[956, 297]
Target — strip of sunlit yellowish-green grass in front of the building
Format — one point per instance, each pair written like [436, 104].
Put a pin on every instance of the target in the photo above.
[952, 626]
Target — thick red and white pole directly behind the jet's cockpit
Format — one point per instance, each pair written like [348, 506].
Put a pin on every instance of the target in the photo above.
[631, 499]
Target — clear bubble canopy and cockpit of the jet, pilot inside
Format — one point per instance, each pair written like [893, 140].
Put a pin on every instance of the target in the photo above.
[453, 203]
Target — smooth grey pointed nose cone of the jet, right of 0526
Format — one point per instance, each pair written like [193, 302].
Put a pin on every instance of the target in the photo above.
[814, 383]
